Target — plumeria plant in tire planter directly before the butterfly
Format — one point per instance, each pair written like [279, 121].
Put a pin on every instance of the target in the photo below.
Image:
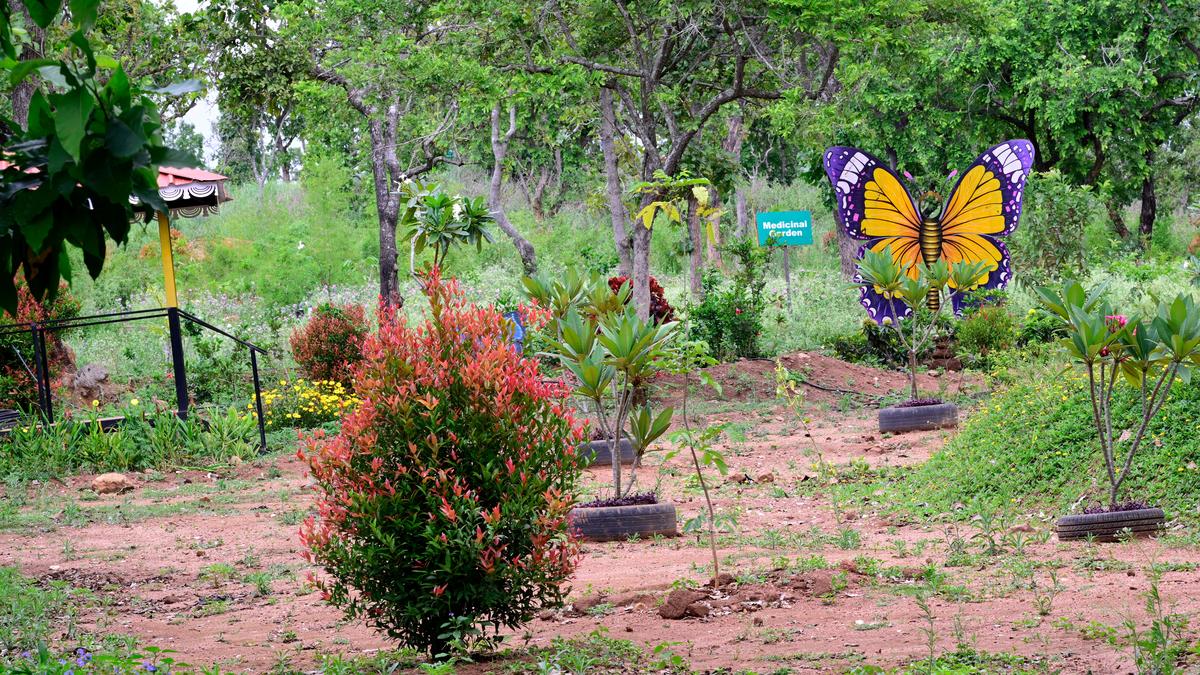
[909, 290]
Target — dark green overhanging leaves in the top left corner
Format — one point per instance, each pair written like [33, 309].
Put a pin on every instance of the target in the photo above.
[86, 150]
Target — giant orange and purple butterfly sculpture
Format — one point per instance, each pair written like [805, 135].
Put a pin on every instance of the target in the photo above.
[873, 206]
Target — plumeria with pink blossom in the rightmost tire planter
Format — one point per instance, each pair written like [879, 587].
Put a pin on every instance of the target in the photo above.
[1149, 354]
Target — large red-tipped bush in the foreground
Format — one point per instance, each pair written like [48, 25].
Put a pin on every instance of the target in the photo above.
[443, 503]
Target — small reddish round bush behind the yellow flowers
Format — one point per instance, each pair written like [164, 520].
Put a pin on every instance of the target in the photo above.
[331, 344]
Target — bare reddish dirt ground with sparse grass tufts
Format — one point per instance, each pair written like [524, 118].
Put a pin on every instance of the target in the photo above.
[170, 560]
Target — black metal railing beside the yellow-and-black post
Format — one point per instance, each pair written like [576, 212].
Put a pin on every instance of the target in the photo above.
[175, 316]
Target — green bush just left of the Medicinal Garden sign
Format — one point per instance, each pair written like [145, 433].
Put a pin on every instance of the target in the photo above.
[730, 316]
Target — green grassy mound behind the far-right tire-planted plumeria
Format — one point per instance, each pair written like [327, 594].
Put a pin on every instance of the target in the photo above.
[1034, 446]
